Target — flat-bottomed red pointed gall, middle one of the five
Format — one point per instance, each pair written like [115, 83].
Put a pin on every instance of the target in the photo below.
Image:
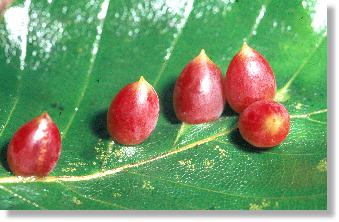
[198, 93]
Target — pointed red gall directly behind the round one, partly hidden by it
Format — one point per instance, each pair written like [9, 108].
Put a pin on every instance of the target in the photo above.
[249, 78]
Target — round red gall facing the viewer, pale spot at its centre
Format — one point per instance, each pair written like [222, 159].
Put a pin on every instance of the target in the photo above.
[264, 124]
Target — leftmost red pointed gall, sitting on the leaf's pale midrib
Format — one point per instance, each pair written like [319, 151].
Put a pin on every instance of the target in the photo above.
[35, 148]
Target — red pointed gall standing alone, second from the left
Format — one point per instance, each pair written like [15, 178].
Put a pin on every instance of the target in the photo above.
[133, 113]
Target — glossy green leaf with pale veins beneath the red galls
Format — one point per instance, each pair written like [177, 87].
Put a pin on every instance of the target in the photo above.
[71, 57]
